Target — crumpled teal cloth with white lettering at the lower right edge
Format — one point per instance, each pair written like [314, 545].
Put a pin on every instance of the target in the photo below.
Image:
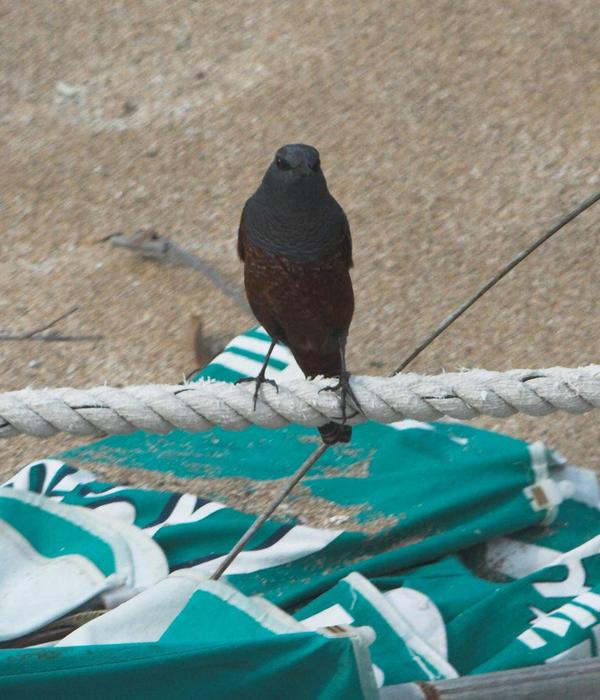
[548, 607]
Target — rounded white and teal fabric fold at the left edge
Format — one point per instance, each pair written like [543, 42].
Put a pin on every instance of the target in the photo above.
[55, 558]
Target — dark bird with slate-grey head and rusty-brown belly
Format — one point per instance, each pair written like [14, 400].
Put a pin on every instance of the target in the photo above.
[295, 243]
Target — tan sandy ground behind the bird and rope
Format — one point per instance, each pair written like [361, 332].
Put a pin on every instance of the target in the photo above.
[452, 132]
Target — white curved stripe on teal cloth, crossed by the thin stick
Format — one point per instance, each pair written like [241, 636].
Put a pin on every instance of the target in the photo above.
[299, 542]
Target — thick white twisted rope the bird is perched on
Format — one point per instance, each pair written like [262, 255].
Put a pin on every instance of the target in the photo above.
[202, 405]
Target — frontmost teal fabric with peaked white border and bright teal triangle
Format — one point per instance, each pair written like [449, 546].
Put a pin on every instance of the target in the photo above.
[188, 637]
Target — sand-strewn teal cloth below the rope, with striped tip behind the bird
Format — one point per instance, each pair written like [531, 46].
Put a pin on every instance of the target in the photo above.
[416, 491]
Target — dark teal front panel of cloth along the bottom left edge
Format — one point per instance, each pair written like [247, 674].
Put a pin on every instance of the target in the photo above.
[286, 666]
